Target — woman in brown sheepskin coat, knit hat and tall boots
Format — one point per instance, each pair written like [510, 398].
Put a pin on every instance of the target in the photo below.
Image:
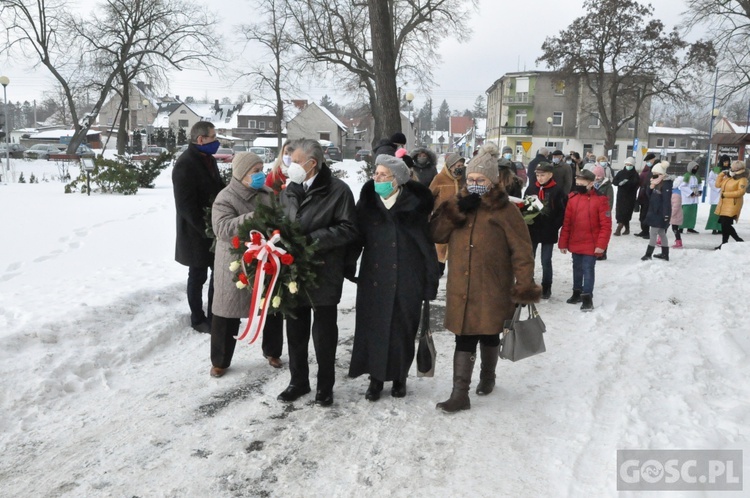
[490, 271]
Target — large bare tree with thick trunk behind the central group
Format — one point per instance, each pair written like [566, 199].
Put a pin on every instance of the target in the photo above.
[348, 37]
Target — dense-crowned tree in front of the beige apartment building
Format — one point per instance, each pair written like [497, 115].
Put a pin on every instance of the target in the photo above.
[625, 58]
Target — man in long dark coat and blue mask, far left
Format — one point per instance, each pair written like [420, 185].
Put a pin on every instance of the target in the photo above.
[196, 182]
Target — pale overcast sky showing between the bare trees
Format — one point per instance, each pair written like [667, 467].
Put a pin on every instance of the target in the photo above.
[505, 36]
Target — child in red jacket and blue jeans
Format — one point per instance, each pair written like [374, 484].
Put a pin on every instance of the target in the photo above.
[585, 233]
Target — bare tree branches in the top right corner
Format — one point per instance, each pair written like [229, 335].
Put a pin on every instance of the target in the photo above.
[729, 23]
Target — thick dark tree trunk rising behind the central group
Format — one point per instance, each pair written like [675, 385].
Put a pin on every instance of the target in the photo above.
[385, 111]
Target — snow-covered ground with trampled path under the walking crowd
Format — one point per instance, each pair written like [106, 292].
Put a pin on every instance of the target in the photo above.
[106, 392]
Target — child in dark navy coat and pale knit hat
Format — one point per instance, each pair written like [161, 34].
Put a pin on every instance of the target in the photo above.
[659, 211]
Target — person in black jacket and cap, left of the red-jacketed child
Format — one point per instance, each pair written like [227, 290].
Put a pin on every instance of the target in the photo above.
[546, 225]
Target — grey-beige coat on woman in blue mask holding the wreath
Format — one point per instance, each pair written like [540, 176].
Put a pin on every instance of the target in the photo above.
[232, 207]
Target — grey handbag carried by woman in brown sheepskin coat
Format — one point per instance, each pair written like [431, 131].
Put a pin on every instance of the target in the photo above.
[523, 338]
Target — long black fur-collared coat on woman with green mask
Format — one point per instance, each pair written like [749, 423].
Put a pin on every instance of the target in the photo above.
[398, 272]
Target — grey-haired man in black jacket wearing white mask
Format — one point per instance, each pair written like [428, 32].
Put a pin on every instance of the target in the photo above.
[324, 207]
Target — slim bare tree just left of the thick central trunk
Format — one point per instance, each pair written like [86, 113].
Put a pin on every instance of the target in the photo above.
[276, 70]
